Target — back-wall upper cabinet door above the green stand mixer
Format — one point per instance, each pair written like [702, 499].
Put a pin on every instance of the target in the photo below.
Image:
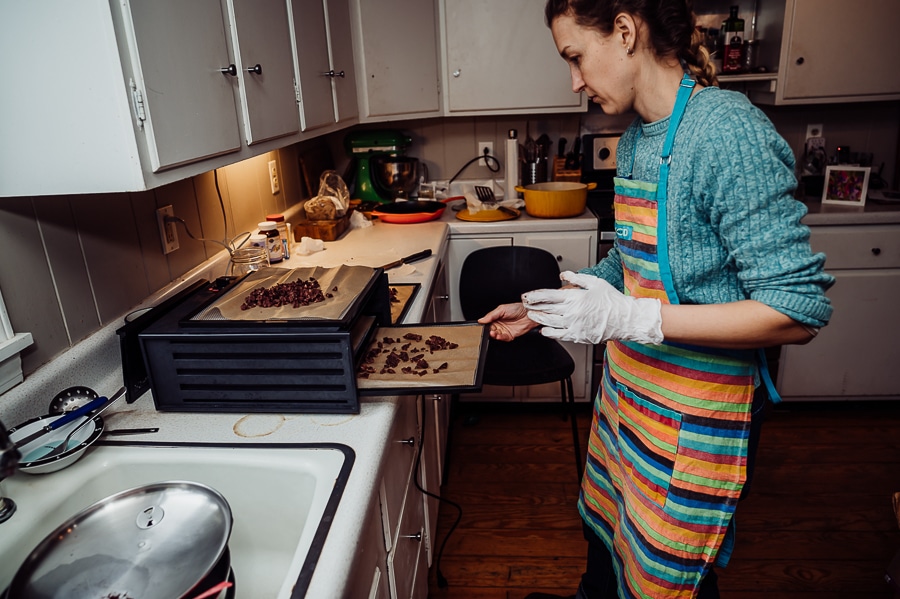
[394, 42]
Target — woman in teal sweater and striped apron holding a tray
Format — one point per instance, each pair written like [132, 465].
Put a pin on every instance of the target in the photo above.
[710, 265]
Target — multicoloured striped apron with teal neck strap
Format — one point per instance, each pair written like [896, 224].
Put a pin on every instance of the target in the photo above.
[668, 443]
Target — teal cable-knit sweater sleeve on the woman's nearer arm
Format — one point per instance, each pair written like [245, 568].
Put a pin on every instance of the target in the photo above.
[750, 182]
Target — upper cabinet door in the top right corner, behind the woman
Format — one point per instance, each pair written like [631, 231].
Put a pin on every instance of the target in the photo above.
[820, 62]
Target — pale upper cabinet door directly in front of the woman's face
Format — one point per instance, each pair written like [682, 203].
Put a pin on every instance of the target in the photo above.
[498, 57]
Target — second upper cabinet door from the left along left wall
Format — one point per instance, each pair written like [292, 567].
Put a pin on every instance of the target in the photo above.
[262, 42]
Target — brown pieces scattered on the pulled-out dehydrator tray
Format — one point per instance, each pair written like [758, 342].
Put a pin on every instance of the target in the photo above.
[407, 358]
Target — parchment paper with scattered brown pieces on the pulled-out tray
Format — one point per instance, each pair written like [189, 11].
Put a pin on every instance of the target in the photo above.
[461, 361]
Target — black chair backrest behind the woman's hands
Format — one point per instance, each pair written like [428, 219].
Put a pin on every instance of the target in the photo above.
[500, 275]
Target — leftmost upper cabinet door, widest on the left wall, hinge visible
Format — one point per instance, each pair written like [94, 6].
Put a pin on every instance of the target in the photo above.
[188, 103]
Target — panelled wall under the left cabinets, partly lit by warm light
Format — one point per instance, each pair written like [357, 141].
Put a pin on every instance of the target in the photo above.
[73, 264]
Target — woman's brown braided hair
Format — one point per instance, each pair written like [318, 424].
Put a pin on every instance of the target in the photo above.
[671, 25]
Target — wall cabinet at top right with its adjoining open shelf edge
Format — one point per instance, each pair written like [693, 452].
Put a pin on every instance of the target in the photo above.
[805, 46]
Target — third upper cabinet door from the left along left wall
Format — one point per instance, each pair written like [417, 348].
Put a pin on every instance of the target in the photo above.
[312, 63]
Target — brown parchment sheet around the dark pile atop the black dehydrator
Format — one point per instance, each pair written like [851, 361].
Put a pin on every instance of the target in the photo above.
[349, 280]
